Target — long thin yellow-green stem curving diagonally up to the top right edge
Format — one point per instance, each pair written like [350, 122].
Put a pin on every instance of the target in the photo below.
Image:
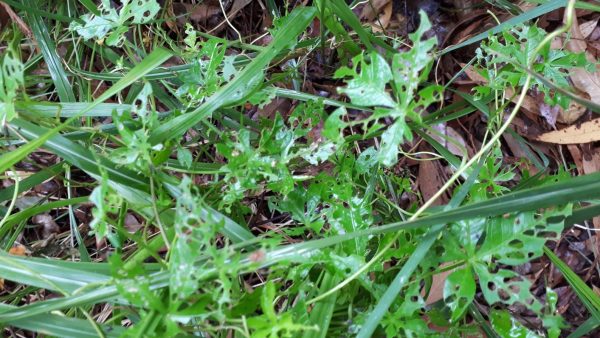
[462, 169]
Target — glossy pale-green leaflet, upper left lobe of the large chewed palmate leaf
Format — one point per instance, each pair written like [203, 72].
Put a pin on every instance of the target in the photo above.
[367, 88]
